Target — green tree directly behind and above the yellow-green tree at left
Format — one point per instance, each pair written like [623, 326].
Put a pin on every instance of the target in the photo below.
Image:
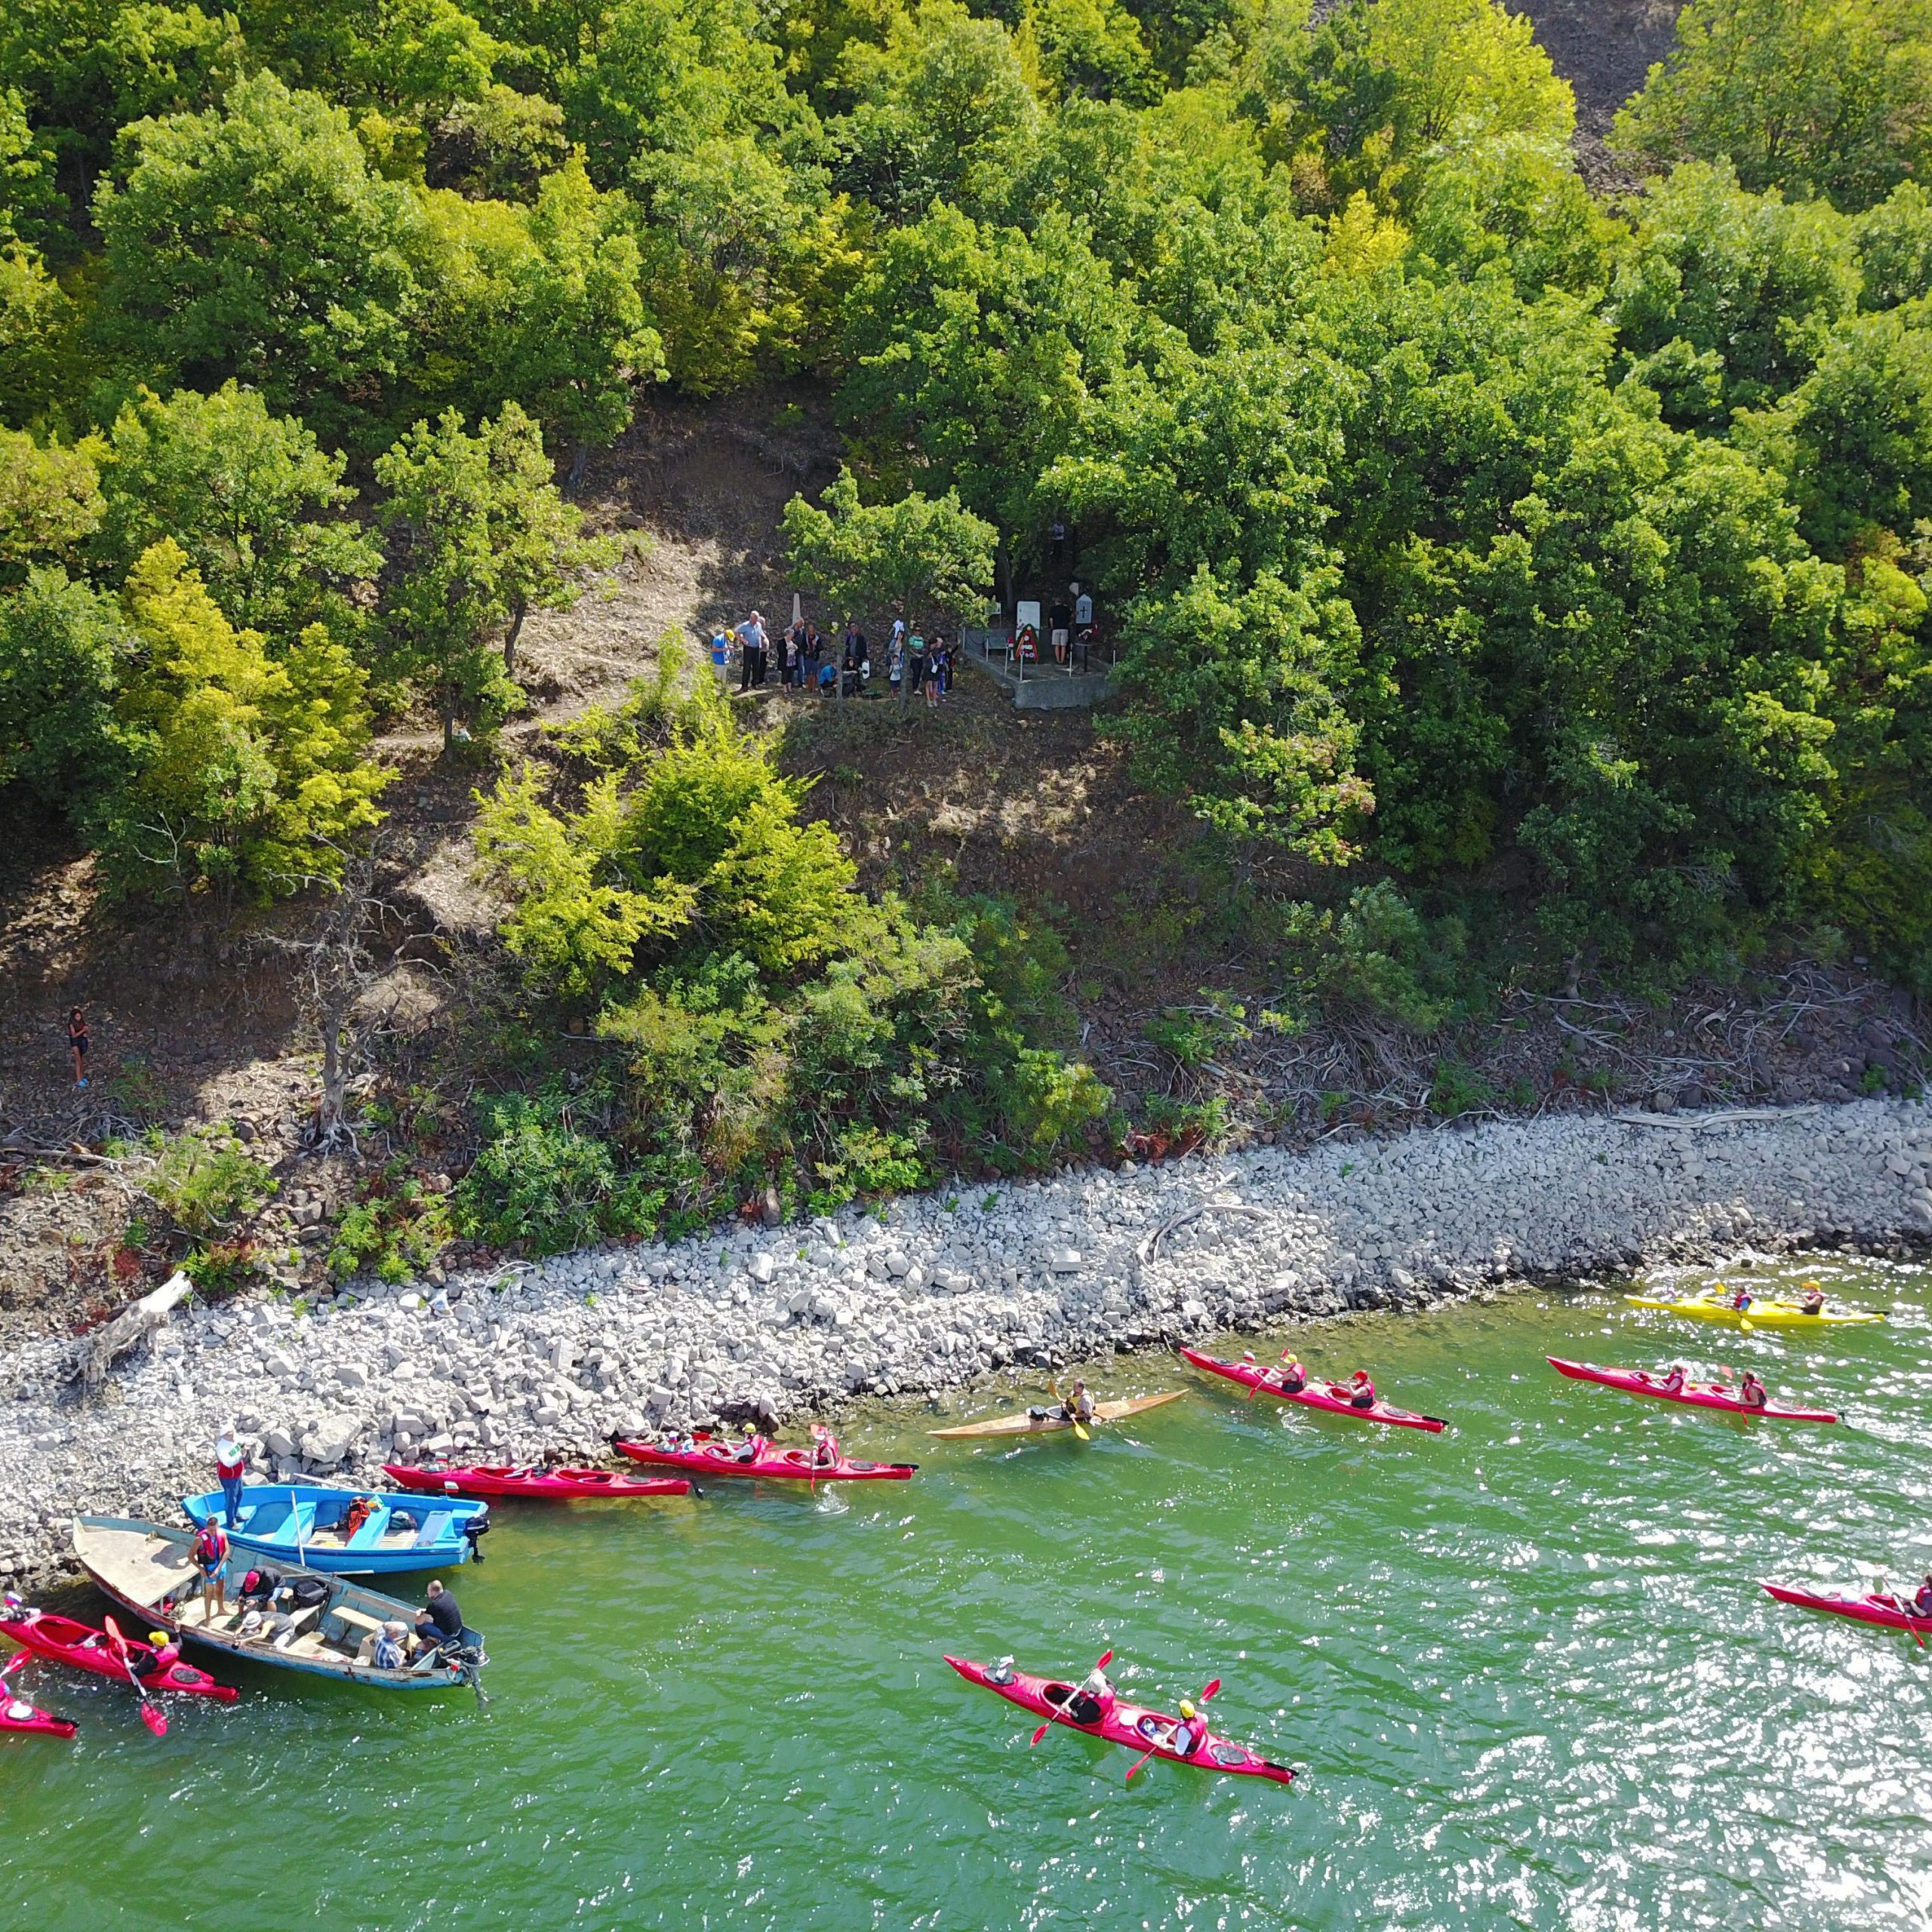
[250, 497]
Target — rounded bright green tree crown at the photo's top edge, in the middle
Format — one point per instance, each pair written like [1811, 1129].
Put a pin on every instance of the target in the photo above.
[944, 111]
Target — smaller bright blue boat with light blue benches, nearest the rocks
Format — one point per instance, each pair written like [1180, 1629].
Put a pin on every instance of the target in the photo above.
[310, 1525]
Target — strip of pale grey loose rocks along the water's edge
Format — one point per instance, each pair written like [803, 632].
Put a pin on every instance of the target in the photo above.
[928, 1293]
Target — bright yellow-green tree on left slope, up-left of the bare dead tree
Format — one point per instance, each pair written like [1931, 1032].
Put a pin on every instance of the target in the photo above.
[252, 774]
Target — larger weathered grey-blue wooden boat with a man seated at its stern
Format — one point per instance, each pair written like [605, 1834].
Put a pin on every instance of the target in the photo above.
[148, 1570]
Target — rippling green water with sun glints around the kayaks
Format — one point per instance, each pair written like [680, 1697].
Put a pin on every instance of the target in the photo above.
[1525, 1662]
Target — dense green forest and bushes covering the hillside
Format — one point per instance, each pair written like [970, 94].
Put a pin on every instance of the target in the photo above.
[1477, 536]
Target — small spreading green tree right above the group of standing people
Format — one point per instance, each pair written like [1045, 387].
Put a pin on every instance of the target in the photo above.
[919, 554]
